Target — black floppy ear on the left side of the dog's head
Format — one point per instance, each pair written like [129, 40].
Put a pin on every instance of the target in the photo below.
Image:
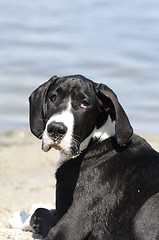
[38, 107]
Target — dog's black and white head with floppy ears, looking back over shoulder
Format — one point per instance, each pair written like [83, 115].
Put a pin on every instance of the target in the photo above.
[67, 112]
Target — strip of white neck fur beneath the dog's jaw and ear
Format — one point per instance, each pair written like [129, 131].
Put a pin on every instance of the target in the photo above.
[105, 131]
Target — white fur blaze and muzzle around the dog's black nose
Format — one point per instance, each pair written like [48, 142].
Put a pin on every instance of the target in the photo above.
[66, 117]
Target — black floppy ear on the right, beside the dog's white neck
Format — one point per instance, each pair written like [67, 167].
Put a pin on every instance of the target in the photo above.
[123, 129]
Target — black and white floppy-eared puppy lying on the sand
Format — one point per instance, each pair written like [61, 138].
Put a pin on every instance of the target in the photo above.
[107, 176]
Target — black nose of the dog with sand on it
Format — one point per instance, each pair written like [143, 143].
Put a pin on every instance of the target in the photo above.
[56, 130]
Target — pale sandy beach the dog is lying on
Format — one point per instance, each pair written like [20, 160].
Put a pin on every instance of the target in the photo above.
[27, 177]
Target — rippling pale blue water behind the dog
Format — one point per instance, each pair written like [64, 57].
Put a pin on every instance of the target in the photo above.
[114, 42]
